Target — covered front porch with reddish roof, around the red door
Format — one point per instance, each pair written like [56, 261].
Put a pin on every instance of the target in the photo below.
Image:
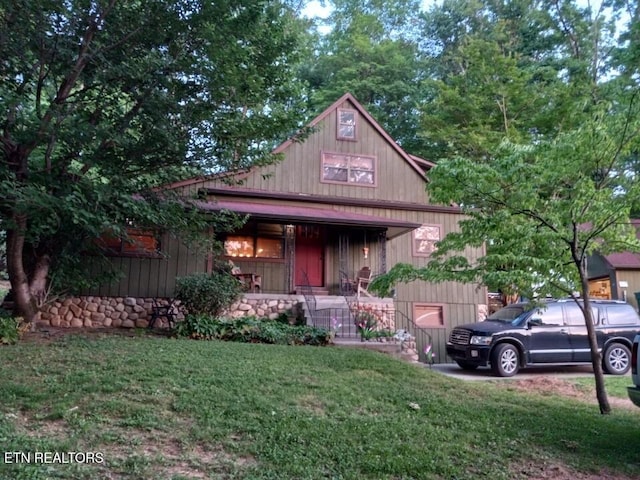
[323, 250]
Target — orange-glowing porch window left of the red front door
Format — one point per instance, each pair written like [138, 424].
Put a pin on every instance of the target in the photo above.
[260, 240]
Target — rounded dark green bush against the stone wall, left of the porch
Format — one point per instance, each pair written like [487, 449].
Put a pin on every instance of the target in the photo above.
[208, 293]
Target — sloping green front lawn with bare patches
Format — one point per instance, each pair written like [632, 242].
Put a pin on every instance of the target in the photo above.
[177, 409]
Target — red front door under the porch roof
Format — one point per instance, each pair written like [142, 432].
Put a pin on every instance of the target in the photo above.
[309, 255]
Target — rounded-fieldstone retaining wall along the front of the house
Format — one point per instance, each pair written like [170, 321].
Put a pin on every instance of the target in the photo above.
[129, 312]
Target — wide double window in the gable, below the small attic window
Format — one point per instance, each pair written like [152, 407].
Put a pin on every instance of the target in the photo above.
[342, 168]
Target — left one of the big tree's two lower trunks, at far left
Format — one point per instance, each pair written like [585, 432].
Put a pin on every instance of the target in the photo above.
[25, 303]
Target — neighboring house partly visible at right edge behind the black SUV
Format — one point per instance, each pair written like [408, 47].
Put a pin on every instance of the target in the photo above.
[617, 275]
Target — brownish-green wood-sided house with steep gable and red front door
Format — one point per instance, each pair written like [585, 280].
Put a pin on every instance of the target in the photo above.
[345, 198]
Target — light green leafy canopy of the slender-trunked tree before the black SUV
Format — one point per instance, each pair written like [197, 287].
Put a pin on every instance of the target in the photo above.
[539, 210]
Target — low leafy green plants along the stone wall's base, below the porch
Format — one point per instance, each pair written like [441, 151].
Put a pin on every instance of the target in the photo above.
[251, 330]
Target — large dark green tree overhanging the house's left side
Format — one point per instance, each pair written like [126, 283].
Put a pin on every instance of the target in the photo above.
[103, 101]
